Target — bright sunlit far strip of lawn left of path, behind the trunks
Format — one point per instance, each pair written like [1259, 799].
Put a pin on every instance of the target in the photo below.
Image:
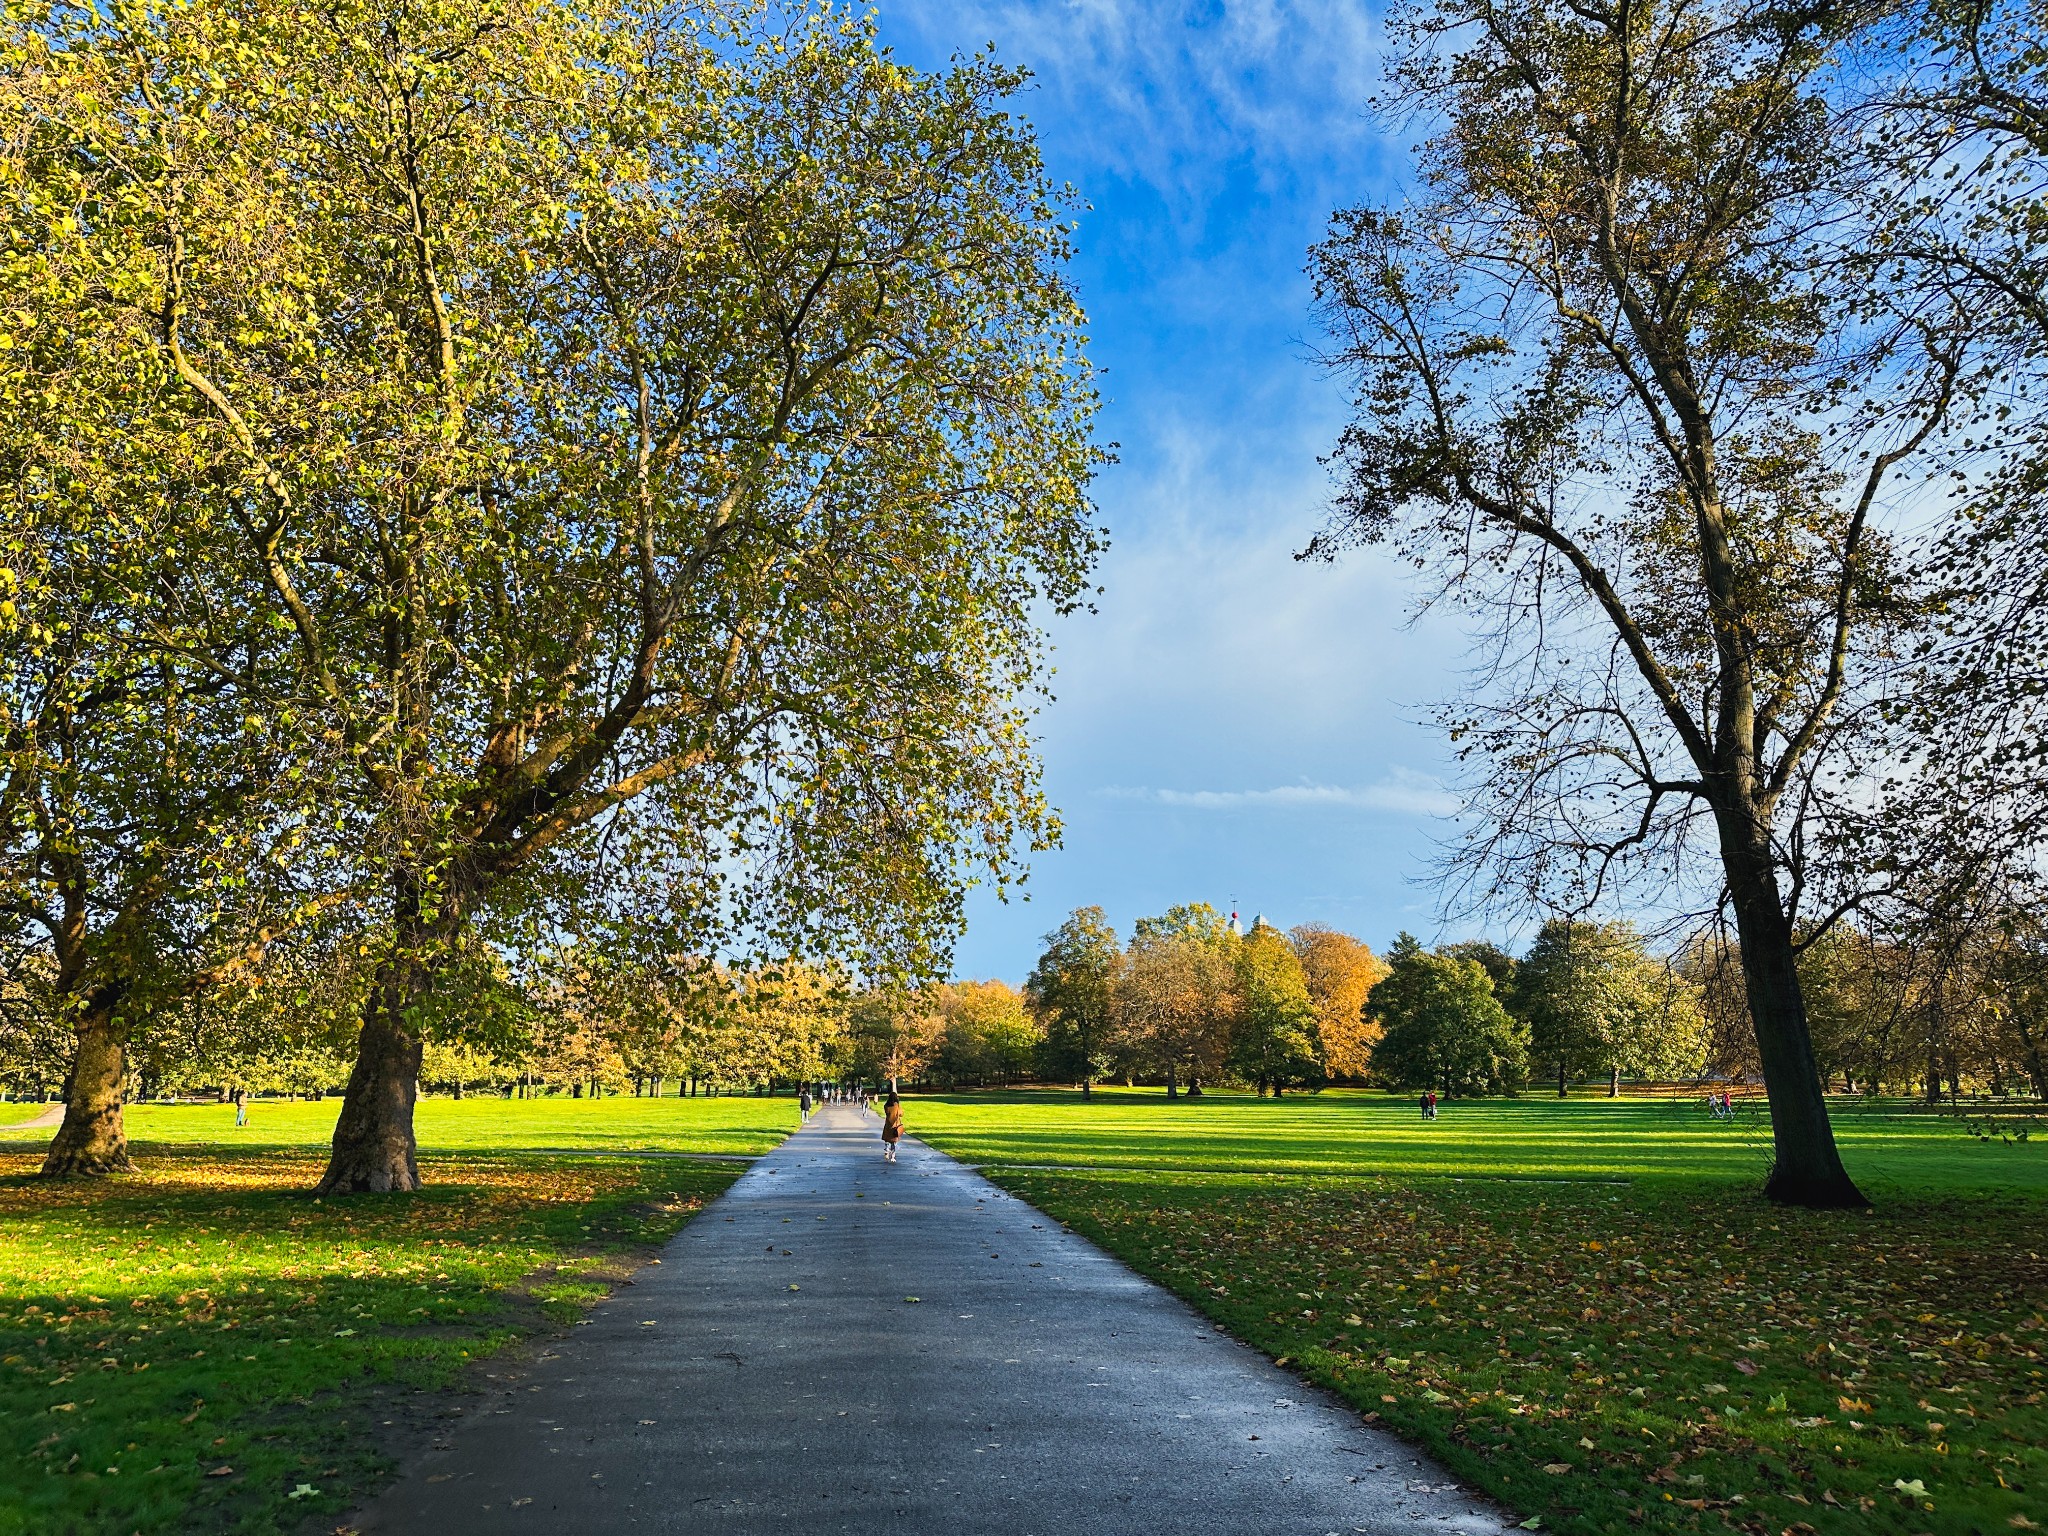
[697, 1125]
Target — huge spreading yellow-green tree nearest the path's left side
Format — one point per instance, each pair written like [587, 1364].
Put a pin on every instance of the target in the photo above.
[656, 433]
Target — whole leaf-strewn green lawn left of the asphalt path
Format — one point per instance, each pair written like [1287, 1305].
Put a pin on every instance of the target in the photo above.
[206, 1349]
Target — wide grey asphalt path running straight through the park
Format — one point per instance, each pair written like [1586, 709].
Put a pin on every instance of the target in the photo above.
[771, 1377]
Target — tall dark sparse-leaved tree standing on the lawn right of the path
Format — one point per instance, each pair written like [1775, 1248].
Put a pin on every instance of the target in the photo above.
[1623, 390]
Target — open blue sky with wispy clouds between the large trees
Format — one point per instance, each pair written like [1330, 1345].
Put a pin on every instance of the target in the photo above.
[1232, 724]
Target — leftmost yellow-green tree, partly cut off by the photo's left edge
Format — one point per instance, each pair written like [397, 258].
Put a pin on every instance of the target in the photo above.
[144, 779]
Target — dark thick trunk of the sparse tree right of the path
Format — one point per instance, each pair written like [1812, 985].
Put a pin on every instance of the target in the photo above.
[1807, 1168]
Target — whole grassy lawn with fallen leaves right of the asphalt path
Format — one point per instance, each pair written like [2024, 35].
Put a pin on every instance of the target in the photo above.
[1582, 1308]
